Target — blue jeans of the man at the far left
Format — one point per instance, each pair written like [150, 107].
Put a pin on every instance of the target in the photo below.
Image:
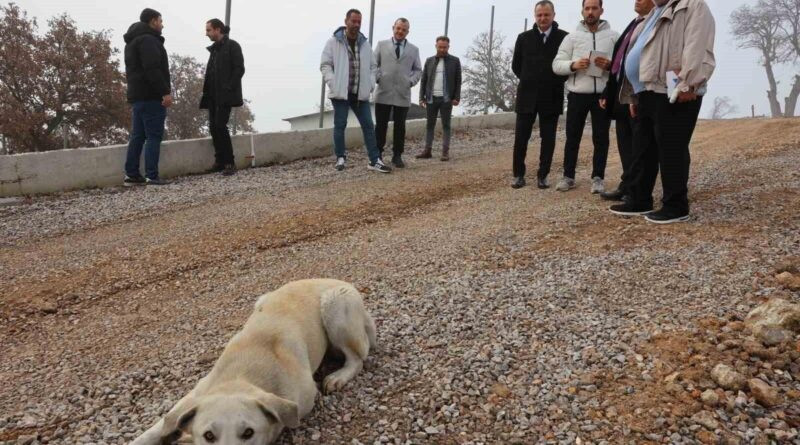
[146, 133]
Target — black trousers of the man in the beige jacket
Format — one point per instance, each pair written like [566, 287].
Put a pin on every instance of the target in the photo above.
[661, 140]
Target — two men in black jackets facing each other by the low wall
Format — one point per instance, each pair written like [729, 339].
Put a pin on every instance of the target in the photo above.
[150, 94]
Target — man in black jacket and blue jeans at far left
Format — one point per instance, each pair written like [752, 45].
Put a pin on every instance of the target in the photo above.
[149, 92]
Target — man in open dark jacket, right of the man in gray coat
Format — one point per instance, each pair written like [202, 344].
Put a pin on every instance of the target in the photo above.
[439, 92]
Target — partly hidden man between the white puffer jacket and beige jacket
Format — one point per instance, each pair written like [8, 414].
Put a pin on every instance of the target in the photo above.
[620, 112]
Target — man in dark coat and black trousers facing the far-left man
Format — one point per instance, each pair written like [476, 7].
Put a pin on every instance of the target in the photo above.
[222, 90]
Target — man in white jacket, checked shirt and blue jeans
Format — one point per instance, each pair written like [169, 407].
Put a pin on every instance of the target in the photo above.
[349, 69]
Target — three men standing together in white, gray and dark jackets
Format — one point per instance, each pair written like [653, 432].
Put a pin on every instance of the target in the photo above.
[352, 70]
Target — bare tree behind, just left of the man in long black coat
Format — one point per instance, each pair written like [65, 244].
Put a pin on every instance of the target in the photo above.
[489, 83]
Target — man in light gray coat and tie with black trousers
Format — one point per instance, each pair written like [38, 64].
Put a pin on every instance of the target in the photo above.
[399, 69]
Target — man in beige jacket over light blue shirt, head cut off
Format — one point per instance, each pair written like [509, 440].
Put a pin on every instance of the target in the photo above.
[676, 40]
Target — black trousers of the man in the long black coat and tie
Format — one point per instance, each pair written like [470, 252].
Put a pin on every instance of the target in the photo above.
[548, 125]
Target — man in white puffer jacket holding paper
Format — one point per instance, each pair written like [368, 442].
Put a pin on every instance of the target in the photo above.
[593, 34]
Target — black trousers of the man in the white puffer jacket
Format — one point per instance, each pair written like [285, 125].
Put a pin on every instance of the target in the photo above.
[579, 106]
